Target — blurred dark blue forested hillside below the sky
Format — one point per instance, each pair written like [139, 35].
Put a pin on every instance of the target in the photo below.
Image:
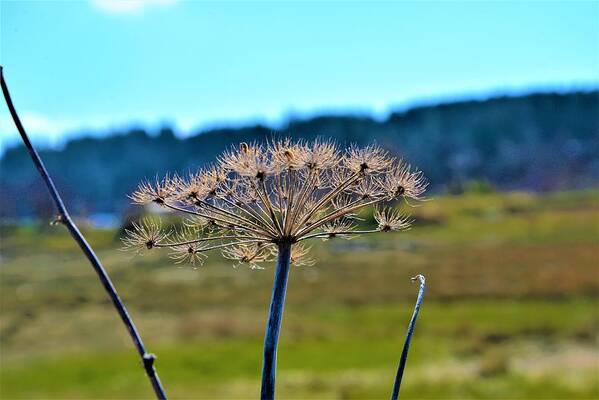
[539, 142]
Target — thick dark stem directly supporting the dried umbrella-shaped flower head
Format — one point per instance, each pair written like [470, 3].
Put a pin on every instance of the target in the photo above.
[273, 326]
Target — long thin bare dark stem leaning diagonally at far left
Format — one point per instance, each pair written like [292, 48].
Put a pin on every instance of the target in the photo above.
[64, 217]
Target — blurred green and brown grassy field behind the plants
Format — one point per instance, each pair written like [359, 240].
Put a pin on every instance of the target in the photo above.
[511, 311]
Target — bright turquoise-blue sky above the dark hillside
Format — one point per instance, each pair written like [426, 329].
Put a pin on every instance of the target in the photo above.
[90, 66]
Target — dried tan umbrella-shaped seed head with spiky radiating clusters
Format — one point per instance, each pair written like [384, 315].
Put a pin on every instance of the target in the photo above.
[259, 196]
